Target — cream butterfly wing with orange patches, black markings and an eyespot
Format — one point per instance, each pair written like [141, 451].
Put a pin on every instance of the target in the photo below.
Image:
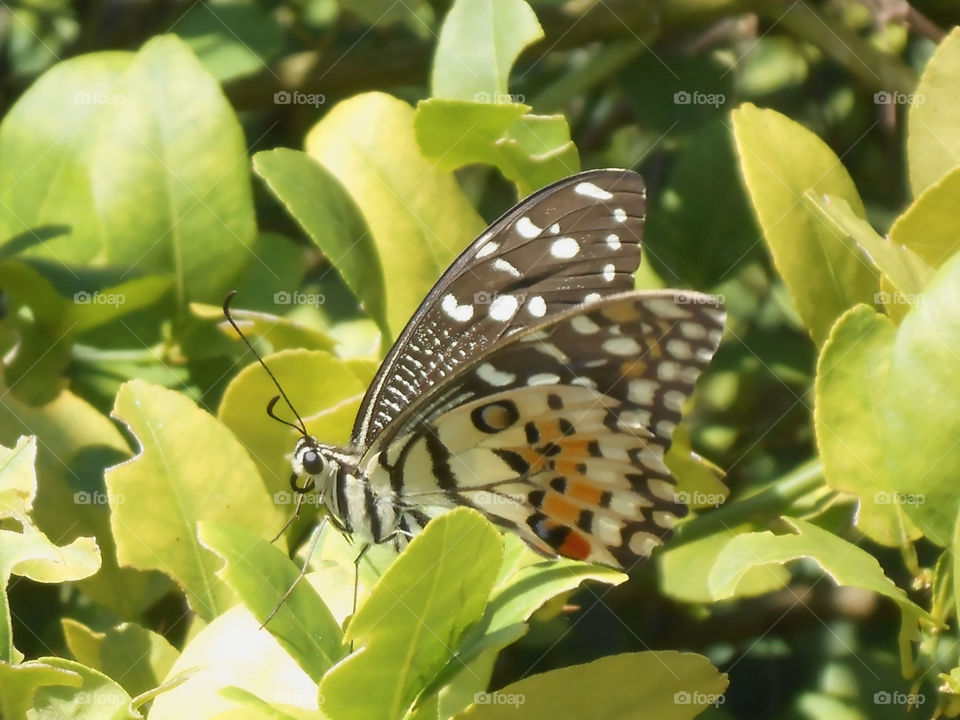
[559, 432]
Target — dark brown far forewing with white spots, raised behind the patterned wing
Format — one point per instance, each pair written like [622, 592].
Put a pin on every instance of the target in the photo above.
[578, 238]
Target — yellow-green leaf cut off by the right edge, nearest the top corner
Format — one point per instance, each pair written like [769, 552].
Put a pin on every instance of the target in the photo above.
[933, 138]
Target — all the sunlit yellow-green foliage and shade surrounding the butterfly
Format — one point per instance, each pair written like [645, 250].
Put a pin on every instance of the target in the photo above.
[328, 162]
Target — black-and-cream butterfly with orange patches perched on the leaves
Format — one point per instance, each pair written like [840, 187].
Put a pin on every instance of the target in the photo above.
[533, 384]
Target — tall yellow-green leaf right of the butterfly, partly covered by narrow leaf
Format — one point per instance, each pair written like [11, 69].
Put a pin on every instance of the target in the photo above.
[780, 161]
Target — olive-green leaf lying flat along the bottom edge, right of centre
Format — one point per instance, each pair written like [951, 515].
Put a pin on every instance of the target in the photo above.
[632, 686]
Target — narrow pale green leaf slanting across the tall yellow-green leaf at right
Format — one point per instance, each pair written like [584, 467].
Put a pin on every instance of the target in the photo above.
[905, 269]
